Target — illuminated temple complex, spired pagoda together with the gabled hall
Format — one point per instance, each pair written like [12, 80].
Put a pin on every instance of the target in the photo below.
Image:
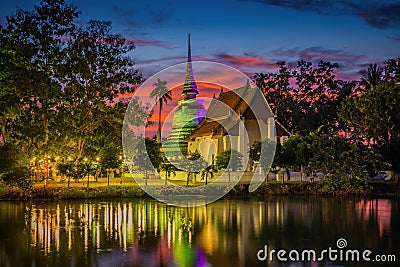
[194, 129]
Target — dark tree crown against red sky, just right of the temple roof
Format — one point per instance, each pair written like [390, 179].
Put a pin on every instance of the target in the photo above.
[304, 97]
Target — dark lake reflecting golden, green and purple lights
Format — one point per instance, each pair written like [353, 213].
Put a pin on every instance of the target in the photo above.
[144, 232]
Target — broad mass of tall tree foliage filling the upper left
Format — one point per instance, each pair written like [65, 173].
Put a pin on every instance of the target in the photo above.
[60, 81]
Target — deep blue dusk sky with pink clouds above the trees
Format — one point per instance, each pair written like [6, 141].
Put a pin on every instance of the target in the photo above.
[250, 35]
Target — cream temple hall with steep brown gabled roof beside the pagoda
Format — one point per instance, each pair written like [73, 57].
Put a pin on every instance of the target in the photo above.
[220, 130]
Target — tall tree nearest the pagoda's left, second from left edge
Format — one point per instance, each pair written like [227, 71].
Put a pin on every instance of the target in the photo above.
[96, 71]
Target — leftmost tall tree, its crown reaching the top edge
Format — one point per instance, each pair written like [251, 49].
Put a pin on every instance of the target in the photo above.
[39, 33]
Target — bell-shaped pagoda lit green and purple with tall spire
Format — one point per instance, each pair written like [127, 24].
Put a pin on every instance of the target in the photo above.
[187, 116]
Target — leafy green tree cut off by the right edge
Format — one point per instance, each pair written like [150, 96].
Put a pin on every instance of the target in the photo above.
[373, 115]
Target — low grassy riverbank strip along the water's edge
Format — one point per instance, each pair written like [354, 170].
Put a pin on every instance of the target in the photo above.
[240, 190]
